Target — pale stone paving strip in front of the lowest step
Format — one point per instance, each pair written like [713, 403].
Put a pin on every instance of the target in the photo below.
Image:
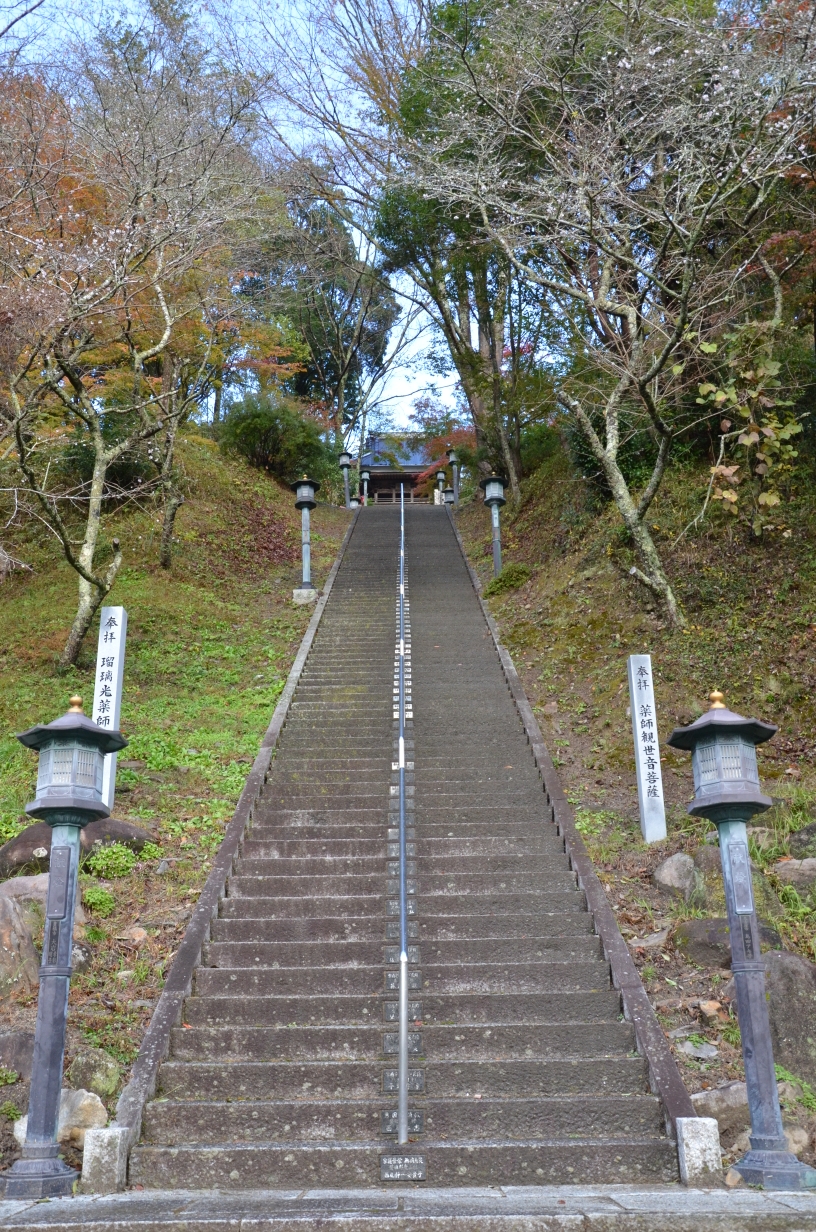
[496, 1209]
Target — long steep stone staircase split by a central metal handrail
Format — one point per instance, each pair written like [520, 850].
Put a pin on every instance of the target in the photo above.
[283, 1075]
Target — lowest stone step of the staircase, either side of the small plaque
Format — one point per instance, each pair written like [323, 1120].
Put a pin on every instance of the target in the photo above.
[591, 1161]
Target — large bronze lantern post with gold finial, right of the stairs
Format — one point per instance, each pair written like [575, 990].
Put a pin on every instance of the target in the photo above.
[727, 790]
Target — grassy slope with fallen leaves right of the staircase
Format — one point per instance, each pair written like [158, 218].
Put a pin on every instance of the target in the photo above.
[571, 628]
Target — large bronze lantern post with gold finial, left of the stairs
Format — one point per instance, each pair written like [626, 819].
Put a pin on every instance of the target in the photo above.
[70, 795]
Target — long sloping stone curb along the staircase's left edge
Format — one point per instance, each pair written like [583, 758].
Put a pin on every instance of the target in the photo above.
[107, 1151]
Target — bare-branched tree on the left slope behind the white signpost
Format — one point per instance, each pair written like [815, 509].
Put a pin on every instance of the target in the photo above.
[113, 193]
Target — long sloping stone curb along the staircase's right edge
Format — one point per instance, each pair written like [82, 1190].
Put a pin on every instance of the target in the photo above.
[665, 1077]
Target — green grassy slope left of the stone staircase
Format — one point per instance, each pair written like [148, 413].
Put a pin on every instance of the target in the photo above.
[210, 645]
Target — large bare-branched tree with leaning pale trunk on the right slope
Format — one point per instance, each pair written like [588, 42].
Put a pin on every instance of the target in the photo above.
[624, 158]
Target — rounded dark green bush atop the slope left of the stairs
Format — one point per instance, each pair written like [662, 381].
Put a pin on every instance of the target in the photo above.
[274, 437]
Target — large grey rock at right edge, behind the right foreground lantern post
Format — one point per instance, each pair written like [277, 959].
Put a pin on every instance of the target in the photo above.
[791, 984]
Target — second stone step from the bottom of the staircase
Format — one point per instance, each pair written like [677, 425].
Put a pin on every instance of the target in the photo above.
[179, 1123]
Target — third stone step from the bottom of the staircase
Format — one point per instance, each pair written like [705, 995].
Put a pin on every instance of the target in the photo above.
[443, 1080]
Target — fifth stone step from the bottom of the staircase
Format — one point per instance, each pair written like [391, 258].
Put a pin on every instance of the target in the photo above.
[543, 1007]
